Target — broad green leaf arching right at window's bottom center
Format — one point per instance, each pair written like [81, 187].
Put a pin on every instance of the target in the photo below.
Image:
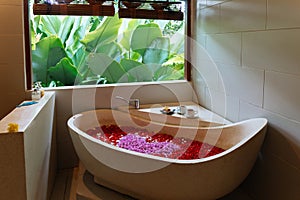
[103, 65]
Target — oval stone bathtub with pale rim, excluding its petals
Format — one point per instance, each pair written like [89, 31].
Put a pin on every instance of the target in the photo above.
[146, 176]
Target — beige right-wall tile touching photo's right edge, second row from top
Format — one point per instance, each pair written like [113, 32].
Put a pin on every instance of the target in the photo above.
[276, 50]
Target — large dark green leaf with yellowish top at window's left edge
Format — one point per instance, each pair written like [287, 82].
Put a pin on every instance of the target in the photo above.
[49, 51]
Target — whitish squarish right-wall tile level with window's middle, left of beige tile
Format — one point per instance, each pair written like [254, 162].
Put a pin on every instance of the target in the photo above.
[225, 48]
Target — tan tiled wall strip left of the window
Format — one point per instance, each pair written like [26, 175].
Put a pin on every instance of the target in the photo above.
[12, 81]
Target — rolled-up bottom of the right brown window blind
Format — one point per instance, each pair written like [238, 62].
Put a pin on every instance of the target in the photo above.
[150, 14]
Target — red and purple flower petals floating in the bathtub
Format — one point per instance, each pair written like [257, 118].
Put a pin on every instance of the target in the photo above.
[159, 144]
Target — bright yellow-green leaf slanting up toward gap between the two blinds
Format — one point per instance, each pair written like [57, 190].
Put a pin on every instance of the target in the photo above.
[106, 33]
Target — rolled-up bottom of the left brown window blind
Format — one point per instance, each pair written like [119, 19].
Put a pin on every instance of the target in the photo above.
[74, 9]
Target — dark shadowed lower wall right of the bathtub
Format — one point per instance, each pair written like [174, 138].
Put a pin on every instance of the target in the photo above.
[269, 178]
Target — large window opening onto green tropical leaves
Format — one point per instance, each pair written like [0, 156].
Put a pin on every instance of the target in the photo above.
[87, 50]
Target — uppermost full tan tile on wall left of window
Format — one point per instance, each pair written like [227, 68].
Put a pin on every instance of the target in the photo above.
[11, 20]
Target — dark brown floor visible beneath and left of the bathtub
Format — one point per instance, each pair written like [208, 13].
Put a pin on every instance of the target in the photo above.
[70, 181]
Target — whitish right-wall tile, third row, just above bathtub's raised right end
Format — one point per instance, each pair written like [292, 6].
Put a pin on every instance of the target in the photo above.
[245, 83]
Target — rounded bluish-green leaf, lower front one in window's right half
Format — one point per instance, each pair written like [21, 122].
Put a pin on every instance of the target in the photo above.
[158, 51]
